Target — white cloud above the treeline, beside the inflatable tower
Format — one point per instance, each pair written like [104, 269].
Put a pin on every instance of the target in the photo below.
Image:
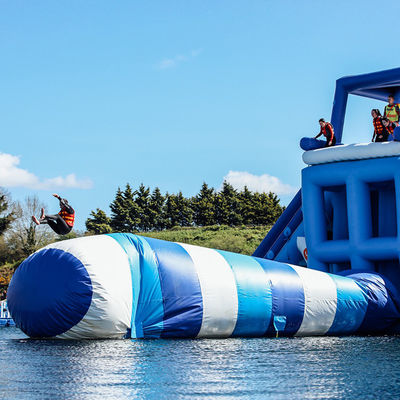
[258, 183]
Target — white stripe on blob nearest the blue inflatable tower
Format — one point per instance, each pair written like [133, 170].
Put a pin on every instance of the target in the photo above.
[320, 301]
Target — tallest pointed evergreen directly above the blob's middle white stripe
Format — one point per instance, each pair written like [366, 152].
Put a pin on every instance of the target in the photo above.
[203, 205]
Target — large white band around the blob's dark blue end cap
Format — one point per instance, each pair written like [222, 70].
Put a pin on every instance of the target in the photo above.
[109, 314]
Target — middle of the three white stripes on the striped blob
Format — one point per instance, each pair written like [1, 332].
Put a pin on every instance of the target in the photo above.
[218, 289]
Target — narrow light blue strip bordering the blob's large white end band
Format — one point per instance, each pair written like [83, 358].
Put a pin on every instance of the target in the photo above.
[129, 244]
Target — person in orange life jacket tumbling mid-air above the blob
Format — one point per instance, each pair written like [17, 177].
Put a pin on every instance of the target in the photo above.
[61, 223]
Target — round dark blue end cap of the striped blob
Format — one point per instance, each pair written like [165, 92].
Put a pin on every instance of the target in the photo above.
[49, 293]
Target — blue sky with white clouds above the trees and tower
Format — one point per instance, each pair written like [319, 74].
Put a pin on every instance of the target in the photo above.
[95, 94]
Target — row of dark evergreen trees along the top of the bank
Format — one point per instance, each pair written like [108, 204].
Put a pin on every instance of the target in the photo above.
[144, 210]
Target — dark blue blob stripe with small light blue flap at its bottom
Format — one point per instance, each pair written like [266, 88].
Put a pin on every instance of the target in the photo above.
[287, 295]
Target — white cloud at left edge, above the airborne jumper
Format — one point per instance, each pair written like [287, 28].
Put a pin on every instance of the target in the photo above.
[11, 175]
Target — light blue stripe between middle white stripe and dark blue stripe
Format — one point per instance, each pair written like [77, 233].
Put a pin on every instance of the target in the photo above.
[254, 295]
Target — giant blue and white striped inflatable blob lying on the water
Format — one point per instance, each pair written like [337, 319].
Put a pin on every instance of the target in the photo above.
[123, 285]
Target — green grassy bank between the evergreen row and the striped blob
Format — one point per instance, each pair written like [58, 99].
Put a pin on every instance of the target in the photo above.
[242, 239]
